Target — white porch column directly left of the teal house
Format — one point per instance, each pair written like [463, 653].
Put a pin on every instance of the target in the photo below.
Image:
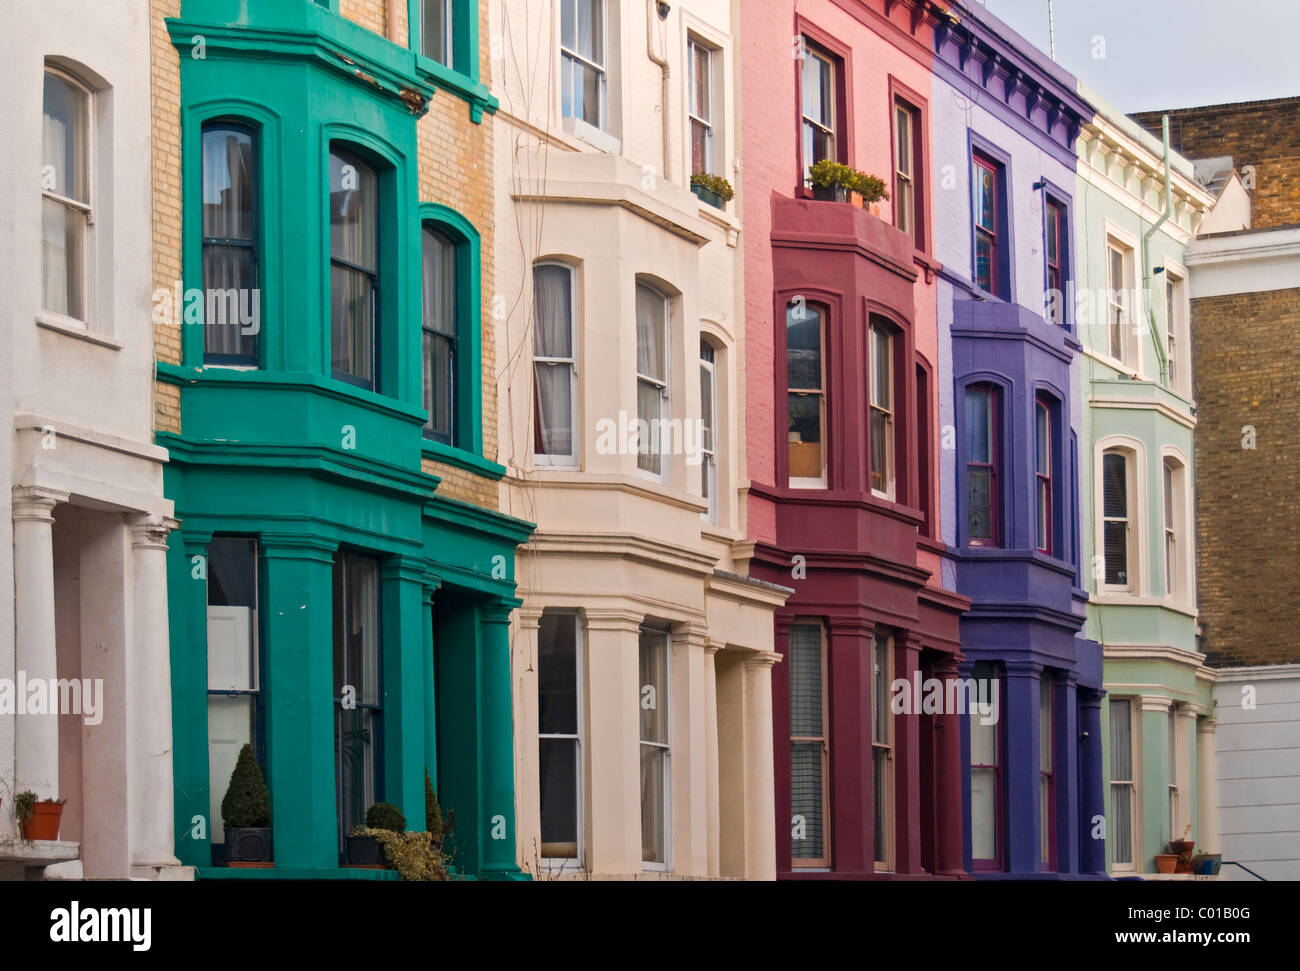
[149, 701]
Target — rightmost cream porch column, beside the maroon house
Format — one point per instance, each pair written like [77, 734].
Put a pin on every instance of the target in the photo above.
[760, 782]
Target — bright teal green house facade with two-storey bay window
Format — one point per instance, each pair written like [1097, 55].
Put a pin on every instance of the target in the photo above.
[327, 605]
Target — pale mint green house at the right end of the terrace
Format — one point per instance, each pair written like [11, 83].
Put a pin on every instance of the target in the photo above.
[1137, 489]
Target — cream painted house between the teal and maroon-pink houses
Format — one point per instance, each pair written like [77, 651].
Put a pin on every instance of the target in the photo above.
[643, 653]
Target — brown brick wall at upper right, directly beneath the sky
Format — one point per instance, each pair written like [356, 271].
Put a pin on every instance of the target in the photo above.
[1264, 135]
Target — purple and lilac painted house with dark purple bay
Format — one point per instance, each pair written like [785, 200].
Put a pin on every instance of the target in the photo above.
[1006, 120]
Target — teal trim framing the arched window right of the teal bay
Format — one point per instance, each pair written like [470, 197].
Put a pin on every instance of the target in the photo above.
[470, 437]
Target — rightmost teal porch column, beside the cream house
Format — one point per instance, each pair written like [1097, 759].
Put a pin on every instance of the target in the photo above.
[497, 752]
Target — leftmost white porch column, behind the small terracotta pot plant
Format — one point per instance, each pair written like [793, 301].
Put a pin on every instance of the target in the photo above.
[36, 736]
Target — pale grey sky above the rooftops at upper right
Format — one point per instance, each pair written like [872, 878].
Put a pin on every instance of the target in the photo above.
[1143, 55]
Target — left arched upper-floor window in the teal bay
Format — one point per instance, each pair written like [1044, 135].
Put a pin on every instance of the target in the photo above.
[231, 253]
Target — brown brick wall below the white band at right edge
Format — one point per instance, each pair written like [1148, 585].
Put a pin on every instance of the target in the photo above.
[1249, 506]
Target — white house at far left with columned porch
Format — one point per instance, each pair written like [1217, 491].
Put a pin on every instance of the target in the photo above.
[84, 595]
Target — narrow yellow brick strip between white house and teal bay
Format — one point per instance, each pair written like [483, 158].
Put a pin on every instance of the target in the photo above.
[167, 200]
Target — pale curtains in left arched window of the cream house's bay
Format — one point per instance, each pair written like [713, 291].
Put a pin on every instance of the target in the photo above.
[553, 339]
